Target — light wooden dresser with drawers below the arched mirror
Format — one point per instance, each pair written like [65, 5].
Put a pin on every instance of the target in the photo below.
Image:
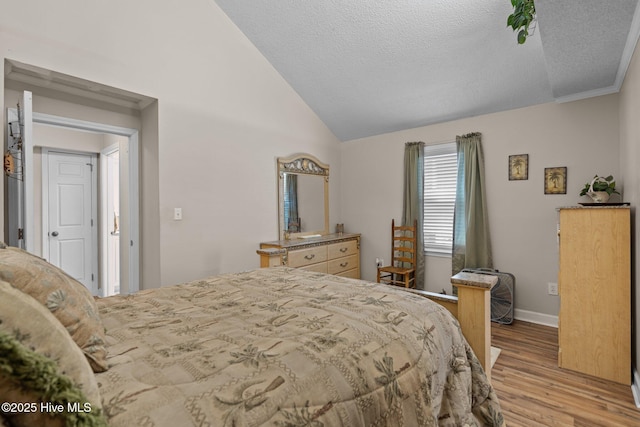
[337, 254]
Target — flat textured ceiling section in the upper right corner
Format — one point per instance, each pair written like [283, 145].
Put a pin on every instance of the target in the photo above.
[587, 44]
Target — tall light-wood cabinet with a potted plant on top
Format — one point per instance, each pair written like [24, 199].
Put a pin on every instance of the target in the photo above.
[594, 283]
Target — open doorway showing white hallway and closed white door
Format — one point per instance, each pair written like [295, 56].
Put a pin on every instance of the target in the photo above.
[81, 206]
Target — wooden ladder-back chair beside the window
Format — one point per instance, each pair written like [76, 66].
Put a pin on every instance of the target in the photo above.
[402, 271]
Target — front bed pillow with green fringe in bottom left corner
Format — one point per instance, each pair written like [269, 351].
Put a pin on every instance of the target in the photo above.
[40, 363]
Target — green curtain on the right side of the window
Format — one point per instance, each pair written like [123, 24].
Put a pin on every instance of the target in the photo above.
[471, 242]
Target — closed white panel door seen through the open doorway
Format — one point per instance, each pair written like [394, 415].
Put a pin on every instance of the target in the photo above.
[71, 212]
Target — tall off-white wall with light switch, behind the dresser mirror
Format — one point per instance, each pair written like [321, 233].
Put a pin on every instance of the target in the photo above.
[224, 115]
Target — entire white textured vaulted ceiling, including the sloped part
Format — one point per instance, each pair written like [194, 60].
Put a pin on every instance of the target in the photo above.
[370, 67]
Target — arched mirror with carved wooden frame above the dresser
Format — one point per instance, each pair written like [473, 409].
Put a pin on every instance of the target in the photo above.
[303, 196]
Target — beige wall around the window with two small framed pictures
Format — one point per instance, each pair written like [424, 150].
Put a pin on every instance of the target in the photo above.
[582, 135]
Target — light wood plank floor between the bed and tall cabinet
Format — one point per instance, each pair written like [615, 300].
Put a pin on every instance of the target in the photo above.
[533, 391]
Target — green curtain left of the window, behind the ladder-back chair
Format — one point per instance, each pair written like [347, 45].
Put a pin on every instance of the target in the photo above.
[413, 200]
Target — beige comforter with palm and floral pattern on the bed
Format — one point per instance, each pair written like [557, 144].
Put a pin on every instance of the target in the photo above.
[286, 347]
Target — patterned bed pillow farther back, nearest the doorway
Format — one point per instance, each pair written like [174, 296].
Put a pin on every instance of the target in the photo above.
[66, 298]
